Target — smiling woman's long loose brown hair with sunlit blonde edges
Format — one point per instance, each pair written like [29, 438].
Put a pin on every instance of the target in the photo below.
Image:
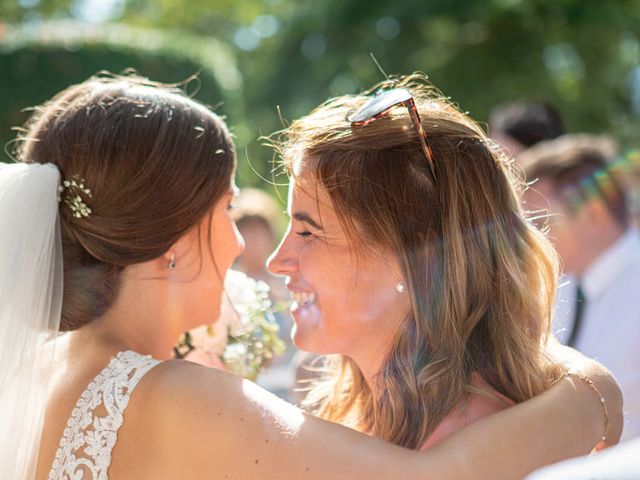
[481, 278]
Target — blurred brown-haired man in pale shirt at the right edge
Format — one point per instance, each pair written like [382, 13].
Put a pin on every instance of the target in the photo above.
[598, 310]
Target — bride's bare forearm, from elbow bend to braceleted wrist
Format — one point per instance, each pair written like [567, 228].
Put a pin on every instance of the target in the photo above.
[564, 422]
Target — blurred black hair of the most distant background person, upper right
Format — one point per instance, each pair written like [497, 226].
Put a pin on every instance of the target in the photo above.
[520, 125]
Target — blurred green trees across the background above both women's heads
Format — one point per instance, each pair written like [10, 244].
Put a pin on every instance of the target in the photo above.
[582, 56]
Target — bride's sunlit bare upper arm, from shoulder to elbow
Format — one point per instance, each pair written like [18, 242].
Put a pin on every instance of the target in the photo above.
[208, 424]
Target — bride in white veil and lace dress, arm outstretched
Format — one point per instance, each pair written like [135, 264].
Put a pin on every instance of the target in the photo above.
[115, 229]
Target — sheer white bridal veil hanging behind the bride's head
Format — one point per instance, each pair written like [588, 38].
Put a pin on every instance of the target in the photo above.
[30, 306]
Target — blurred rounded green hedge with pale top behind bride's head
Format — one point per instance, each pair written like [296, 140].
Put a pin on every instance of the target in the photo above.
[36, 64]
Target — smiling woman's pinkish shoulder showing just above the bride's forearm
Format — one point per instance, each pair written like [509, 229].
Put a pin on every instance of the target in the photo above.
[469, 411]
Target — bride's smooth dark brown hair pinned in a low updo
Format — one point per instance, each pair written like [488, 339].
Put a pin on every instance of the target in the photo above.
[155, 161]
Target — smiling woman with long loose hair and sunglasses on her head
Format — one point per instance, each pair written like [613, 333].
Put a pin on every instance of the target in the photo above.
[409, 259]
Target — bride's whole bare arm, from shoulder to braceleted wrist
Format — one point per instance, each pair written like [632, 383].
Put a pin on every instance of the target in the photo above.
[208, 424]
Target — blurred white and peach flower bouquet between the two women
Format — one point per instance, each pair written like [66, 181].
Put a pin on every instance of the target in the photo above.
[245, 338]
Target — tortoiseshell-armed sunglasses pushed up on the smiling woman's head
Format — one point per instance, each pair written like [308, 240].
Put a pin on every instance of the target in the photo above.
[384, 101]
